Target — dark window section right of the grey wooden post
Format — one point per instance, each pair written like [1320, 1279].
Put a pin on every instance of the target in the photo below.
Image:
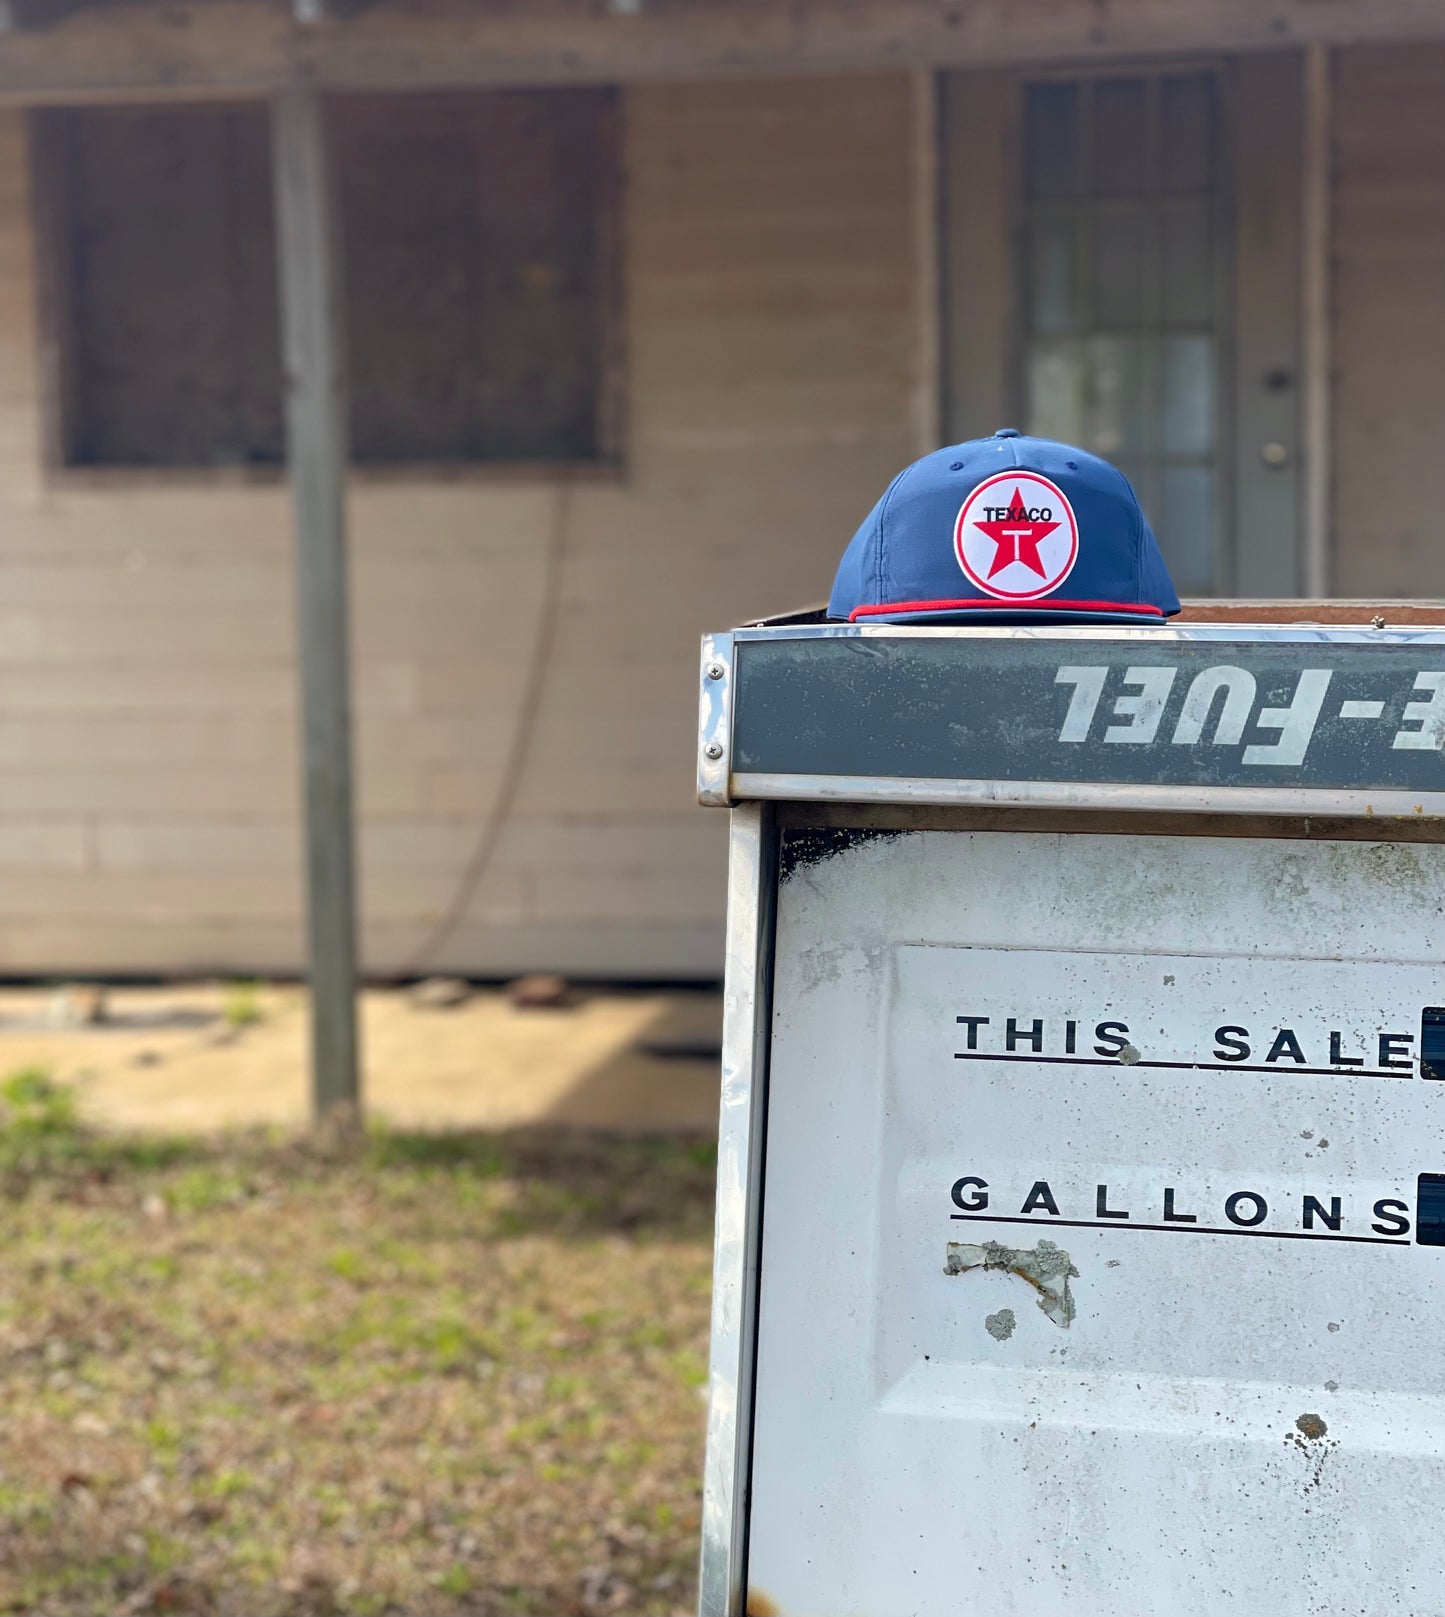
[474, 266]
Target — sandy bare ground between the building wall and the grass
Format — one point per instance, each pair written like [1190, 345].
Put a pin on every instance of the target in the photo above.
[203, 1058]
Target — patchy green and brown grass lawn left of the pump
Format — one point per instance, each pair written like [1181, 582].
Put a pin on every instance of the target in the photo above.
[449, 1374]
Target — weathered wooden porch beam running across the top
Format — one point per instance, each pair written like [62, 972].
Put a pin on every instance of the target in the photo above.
[245, 44]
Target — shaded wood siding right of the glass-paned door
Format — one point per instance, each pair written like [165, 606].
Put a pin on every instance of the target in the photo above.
[1389, 318]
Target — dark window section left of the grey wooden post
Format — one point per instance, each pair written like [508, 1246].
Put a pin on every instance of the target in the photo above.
[171, 268]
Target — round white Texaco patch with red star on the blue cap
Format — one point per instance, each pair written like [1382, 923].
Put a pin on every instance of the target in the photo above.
[1016, 538]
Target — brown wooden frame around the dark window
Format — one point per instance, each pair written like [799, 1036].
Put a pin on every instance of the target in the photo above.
[59, 348]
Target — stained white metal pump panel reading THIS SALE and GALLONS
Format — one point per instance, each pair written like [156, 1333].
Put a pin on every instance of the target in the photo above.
[1105, 1230]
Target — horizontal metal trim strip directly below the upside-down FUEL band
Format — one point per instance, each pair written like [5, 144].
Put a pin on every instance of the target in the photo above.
[1090, 795]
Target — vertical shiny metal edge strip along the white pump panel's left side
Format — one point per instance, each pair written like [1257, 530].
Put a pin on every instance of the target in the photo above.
[752, 892]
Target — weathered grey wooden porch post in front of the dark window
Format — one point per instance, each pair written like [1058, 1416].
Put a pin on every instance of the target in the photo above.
[318, 454]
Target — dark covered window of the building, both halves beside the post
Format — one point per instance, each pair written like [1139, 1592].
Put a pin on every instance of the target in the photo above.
[476, 234]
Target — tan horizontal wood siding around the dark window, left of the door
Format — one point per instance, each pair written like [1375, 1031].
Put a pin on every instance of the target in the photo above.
[148, 751]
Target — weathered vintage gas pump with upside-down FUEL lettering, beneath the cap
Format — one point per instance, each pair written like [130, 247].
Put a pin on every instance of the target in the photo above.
[1082, 1168]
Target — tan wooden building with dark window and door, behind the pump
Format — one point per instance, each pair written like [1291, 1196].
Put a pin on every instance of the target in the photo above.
[644, 302]
